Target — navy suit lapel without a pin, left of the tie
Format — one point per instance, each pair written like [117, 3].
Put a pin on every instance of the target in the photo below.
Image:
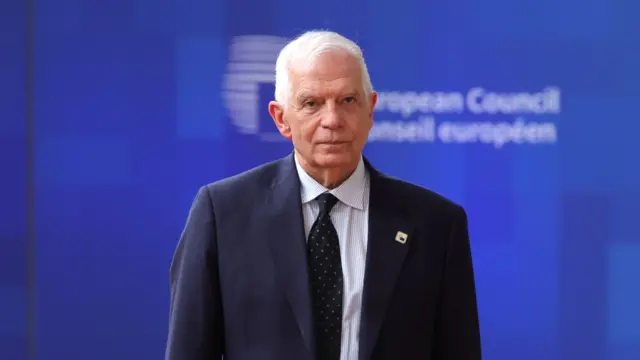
[288, 246]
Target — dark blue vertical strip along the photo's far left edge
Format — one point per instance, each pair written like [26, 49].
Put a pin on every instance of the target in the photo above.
[13, 181]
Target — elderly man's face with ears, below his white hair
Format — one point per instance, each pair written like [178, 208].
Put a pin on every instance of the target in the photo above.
[328, 117]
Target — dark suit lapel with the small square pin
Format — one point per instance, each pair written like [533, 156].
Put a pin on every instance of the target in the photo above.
[385, 257]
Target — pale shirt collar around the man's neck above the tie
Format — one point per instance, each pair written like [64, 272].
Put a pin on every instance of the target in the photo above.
[351, 192]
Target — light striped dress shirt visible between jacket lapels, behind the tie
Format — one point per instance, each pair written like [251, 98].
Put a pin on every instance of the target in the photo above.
[350, 216]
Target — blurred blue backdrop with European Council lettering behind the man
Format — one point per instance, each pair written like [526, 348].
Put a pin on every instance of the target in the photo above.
[113, 113]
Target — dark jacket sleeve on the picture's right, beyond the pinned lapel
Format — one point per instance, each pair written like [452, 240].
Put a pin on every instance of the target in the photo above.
[457, 331]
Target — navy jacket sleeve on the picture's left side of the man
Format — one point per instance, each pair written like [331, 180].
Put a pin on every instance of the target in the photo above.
[195, 316]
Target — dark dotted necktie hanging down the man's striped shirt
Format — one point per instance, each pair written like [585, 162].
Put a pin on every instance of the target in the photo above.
[326, 281]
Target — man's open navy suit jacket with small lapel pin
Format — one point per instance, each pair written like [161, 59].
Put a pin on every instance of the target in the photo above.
[239, 281]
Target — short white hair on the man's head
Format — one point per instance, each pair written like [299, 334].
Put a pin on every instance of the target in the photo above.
[306, 48]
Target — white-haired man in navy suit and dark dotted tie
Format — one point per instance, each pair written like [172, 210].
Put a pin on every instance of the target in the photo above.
[318, 255]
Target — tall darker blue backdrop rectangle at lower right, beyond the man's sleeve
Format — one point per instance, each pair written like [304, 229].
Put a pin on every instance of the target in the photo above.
[585, 227]
